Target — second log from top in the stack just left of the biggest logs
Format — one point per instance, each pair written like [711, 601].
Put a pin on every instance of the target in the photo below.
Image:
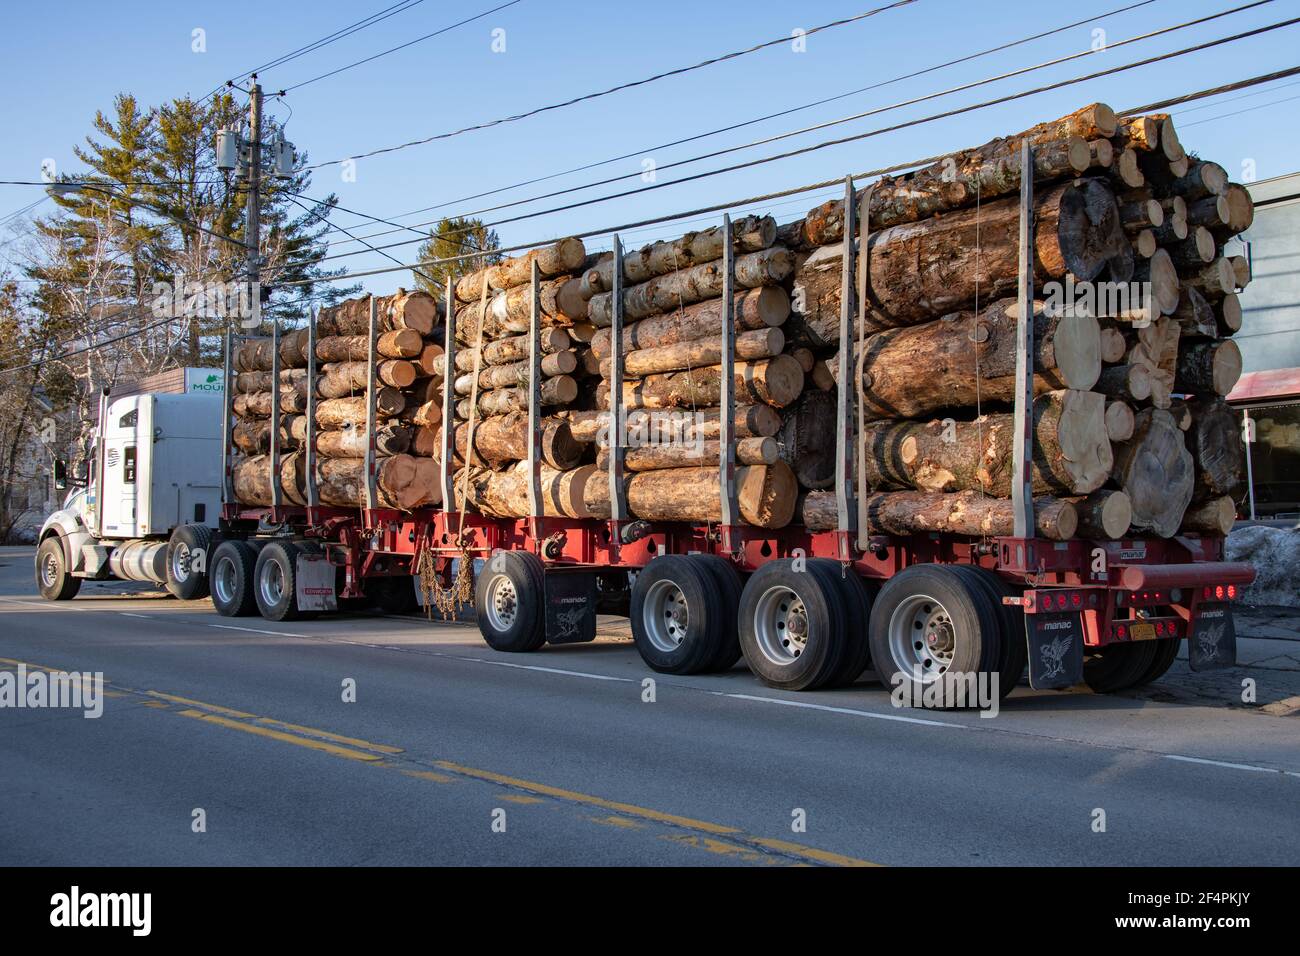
[700, 283]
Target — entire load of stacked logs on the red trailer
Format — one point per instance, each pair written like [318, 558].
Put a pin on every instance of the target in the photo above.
[1132, 431]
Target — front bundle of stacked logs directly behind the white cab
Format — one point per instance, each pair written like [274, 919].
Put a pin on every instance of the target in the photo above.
[408, 404]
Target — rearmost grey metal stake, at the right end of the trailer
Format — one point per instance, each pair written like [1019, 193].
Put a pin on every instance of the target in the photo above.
[1022, 449]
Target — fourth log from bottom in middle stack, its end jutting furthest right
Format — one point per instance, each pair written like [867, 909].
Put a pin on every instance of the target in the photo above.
[775, 382]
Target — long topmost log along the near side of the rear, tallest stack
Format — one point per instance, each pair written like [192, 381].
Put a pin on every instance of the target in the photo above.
[955, 181]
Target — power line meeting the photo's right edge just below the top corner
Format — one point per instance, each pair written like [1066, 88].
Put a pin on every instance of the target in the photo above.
[868, 135]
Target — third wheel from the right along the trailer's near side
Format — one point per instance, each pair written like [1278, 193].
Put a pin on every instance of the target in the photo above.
[679, 624]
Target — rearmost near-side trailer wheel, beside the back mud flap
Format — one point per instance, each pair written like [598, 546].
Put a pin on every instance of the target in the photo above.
[968, 628]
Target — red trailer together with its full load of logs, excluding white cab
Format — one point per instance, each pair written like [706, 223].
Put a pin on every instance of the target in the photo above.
[921, 551]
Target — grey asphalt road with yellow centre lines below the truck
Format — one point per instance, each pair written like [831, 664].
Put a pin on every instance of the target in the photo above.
[453, 754]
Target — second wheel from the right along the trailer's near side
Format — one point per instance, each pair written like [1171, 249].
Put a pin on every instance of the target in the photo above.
[809, 607]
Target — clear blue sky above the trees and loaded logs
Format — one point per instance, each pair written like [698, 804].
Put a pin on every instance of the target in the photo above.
[62, 63]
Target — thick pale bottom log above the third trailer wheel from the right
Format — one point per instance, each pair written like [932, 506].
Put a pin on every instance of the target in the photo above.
[766, 495]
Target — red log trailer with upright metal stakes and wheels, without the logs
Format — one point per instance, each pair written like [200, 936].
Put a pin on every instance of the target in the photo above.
[807, 609]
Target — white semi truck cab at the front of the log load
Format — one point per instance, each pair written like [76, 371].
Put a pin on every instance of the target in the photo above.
[146, 504]
